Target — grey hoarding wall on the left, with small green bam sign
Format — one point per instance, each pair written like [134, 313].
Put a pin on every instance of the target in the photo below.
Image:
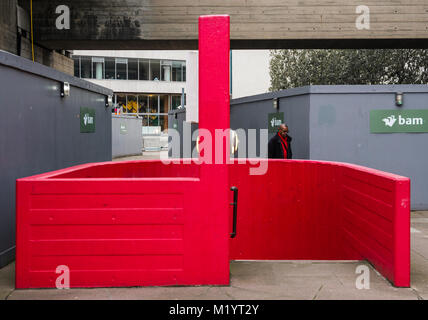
[40, 131]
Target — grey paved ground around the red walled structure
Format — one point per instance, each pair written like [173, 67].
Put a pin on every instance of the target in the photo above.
[265, 280]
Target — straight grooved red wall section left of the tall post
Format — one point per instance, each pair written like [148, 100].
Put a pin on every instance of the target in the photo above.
[110, 231]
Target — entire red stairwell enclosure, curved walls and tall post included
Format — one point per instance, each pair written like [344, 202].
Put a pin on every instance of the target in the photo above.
[146, 223]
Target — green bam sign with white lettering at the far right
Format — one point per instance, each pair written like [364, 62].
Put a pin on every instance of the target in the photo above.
[390, 121]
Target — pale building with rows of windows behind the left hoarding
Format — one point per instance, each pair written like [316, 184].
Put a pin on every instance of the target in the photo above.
[147, 84]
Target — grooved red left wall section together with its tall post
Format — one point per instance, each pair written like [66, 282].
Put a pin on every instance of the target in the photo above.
[135, 223]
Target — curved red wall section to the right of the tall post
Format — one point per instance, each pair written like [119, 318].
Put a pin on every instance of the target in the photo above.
[324, 211]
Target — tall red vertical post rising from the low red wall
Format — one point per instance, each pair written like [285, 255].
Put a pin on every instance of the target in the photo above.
[214, 114]
